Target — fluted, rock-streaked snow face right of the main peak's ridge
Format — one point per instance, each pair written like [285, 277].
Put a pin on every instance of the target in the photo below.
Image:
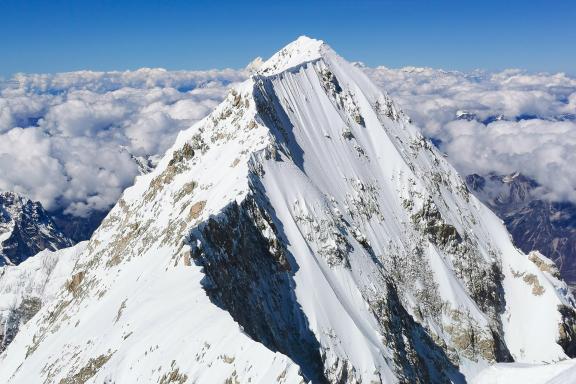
[361, 182]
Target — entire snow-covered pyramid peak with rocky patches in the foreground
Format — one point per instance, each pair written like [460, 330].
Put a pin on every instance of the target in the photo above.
[304, 230]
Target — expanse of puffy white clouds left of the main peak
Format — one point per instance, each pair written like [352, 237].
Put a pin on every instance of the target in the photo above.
[69, 140]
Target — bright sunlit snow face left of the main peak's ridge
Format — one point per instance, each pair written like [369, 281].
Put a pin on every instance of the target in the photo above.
[138, 309]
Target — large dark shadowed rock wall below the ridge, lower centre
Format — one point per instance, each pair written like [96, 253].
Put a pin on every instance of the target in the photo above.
[249, 274]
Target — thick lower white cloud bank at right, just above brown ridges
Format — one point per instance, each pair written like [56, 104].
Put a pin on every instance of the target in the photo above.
[541, 149]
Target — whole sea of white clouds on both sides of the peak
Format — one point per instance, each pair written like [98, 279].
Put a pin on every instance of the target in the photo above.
[69, 140]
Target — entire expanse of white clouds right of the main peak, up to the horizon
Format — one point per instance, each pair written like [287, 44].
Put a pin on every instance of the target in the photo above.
[495, 122]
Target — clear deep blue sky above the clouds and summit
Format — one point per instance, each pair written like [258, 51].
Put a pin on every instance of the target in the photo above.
[55, 36]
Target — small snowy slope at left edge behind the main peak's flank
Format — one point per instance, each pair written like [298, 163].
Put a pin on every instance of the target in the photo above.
[25, 288]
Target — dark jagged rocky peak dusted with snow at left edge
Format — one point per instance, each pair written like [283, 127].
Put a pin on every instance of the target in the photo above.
[26, 229]
